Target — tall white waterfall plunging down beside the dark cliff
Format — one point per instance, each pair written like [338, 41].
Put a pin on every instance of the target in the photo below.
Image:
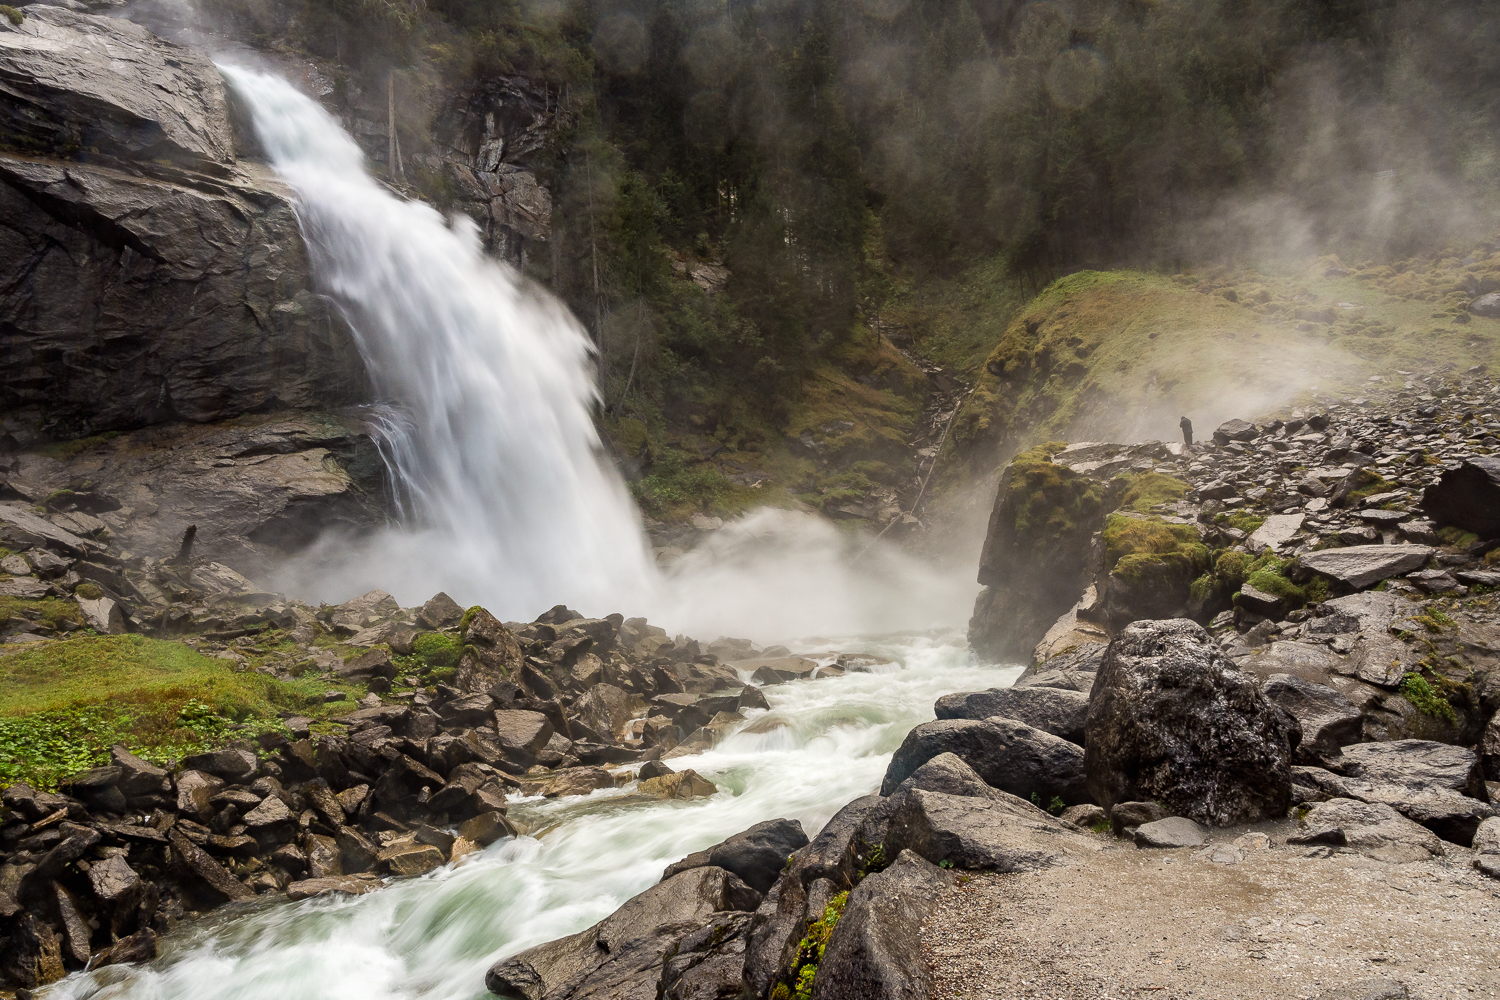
[506, 496]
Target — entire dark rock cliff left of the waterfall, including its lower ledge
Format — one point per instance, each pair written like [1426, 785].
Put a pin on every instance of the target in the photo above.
[167, 361]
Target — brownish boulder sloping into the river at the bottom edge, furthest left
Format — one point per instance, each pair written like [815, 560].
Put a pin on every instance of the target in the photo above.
[622, 957]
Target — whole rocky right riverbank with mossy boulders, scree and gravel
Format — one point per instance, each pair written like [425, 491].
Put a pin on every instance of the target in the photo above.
[1291, 629]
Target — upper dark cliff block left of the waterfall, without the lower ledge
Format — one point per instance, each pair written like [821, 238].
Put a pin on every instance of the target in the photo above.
[151, 277]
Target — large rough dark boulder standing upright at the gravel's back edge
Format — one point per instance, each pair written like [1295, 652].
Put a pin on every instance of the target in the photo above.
[1174, 720]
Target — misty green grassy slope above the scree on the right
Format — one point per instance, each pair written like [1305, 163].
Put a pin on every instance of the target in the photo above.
[1123, 355]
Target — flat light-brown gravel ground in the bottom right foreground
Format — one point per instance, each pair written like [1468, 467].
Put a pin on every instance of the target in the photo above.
[1222, 924]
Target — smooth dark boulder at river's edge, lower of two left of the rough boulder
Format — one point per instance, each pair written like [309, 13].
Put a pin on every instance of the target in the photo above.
[1007, 755]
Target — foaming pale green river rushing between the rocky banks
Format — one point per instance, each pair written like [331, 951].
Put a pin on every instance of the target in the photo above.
[436, 936]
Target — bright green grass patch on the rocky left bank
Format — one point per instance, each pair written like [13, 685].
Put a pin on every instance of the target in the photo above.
[65, 704]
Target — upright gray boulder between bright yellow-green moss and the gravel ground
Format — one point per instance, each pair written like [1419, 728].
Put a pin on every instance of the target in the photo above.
[875, 951]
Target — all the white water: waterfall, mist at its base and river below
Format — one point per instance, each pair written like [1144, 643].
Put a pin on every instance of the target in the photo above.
[494, 443]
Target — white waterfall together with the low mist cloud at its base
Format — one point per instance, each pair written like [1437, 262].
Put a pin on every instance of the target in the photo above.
[506, 497]
